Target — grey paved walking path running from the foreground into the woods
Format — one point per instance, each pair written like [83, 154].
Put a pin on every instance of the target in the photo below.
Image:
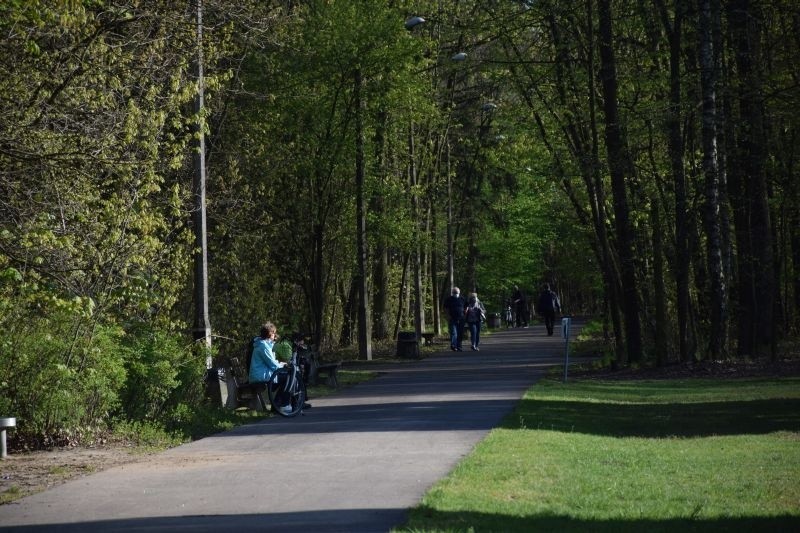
[355, 462]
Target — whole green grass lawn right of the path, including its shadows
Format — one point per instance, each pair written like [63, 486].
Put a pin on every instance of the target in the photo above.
[661, 455]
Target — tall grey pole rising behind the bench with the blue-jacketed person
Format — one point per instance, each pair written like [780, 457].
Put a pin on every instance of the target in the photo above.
[202, 325]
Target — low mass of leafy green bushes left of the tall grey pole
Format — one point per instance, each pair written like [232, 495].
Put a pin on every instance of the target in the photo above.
[67, 374]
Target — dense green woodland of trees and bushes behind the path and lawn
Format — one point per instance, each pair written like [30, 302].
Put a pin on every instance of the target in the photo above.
[639, 155]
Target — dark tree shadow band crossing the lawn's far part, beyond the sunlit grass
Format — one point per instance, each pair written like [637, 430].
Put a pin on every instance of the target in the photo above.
[659, 420]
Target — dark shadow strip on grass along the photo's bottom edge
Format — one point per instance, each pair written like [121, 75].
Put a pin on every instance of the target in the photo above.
[427, 519]
